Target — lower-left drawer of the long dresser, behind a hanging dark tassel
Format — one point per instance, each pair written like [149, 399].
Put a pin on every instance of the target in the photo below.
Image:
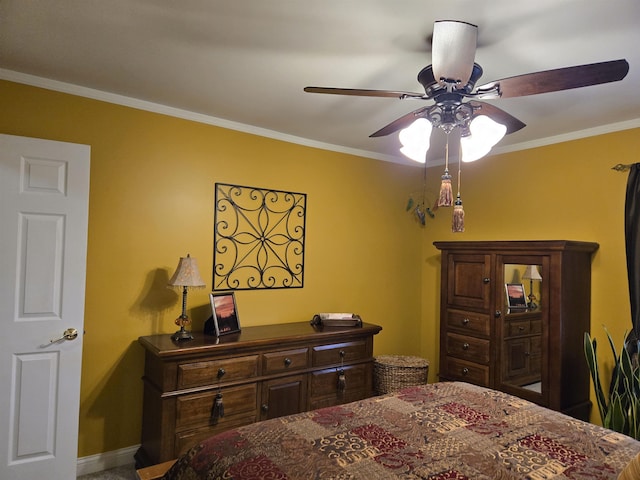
[195, 409]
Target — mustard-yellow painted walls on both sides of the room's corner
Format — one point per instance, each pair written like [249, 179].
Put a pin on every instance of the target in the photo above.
[151, 201]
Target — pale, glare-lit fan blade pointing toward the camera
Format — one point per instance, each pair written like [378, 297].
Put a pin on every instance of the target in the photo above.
[453, 50]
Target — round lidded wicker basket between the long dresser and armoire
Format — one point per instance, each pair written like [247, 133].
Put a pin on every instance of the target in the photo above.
[393, 372]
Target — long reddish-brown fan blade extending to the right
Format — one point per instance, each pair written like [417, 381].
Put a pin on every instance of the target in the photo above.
[560, 79]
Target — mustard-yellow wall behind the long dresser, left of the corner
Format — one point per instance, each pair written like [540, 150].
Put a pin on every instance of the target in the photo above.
[151, 201]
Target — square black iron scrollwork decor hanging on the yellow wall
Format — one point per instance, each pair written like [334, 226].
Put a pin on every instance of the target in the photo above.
[258, 238]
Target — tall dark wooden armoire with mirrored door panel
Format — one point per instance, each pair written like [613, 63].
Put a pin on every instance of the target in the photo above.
[534, 352]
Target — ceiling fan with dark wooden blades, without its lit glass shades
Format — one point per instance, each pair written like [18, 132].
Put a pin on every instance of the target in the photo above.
[450, 82]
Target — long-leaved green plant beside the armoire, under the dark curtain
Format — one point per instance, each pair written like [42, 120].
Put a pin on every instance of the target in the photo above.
[619, 404]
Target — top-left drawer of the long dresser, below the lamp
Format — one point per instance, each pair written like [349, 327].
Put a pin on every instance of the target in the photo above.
[211, 372]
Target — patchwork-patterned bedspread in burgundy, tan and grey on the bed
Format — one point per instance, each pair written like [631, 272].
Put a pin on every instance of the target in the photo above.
[437, 431]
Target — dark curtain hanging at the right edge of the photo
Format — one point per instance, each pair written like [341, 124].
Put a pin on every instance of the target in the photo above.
[632, 241]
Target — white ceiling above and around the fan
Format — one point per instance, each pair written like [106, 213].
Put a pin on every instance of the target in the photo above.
[244, 63]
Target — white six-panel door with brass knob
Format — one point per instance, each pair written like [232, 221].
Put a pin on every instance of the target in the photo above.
[44, 196]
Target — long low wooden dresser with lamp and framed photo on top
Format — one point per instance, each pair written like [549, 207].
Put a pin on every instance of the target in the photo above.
[260, 373]
